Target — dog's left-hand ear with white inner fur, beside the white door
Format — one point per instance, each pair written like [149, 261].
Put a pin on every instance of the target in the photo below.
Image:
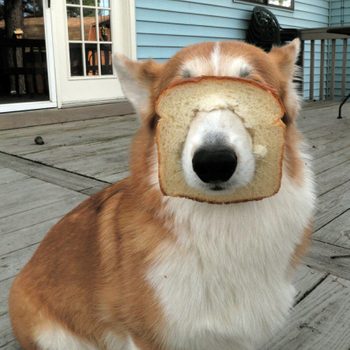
[137, 80]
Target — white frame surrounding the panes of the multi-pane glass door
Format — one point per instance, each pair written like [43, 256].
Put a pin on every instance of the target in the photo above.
[80, 91]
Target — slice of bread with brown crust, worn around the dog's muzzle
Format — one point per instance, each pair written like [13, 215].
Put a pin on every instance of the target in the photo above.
[257, 106]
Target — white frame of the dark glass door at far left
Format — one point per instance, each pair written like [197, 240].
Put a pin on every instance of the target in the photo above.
[52, 102]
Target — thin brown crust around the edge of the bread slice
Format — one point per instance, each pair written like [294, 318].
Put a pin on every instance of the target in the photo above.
[277, 122]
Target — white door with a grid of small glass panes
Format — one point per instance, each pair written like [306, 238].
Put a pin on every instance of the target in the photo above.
[86, 32]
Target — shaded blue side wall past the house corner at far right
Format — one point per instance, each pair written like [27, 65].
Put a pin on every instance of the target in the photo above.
[339, 16]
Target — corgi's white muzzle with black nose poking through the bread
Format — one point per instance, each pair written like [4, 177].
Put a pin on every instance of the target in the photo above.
[218, 153]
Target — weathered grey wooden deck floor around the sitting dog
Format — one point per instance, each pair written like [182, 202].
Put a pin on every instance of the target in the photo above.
[39, 184]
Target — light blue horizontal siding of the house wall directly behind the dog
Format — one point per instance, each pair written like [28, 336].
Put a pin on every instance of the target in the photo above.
[163, 27]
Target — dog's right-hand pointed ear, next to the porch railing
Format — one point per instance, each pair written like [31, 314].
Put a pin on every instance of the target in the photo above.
[286, 57]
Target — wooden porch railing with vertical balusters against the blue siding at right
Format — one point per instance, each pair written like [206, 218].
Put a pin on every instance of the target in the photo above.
[325, 64]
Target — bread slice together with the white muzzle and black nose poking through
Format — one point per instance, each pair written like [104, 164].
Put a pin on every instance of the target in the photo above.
[220, 140]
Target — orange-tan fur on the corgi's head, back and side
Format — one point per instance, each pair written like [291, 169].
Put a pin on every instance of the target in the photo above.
[88, 275]
